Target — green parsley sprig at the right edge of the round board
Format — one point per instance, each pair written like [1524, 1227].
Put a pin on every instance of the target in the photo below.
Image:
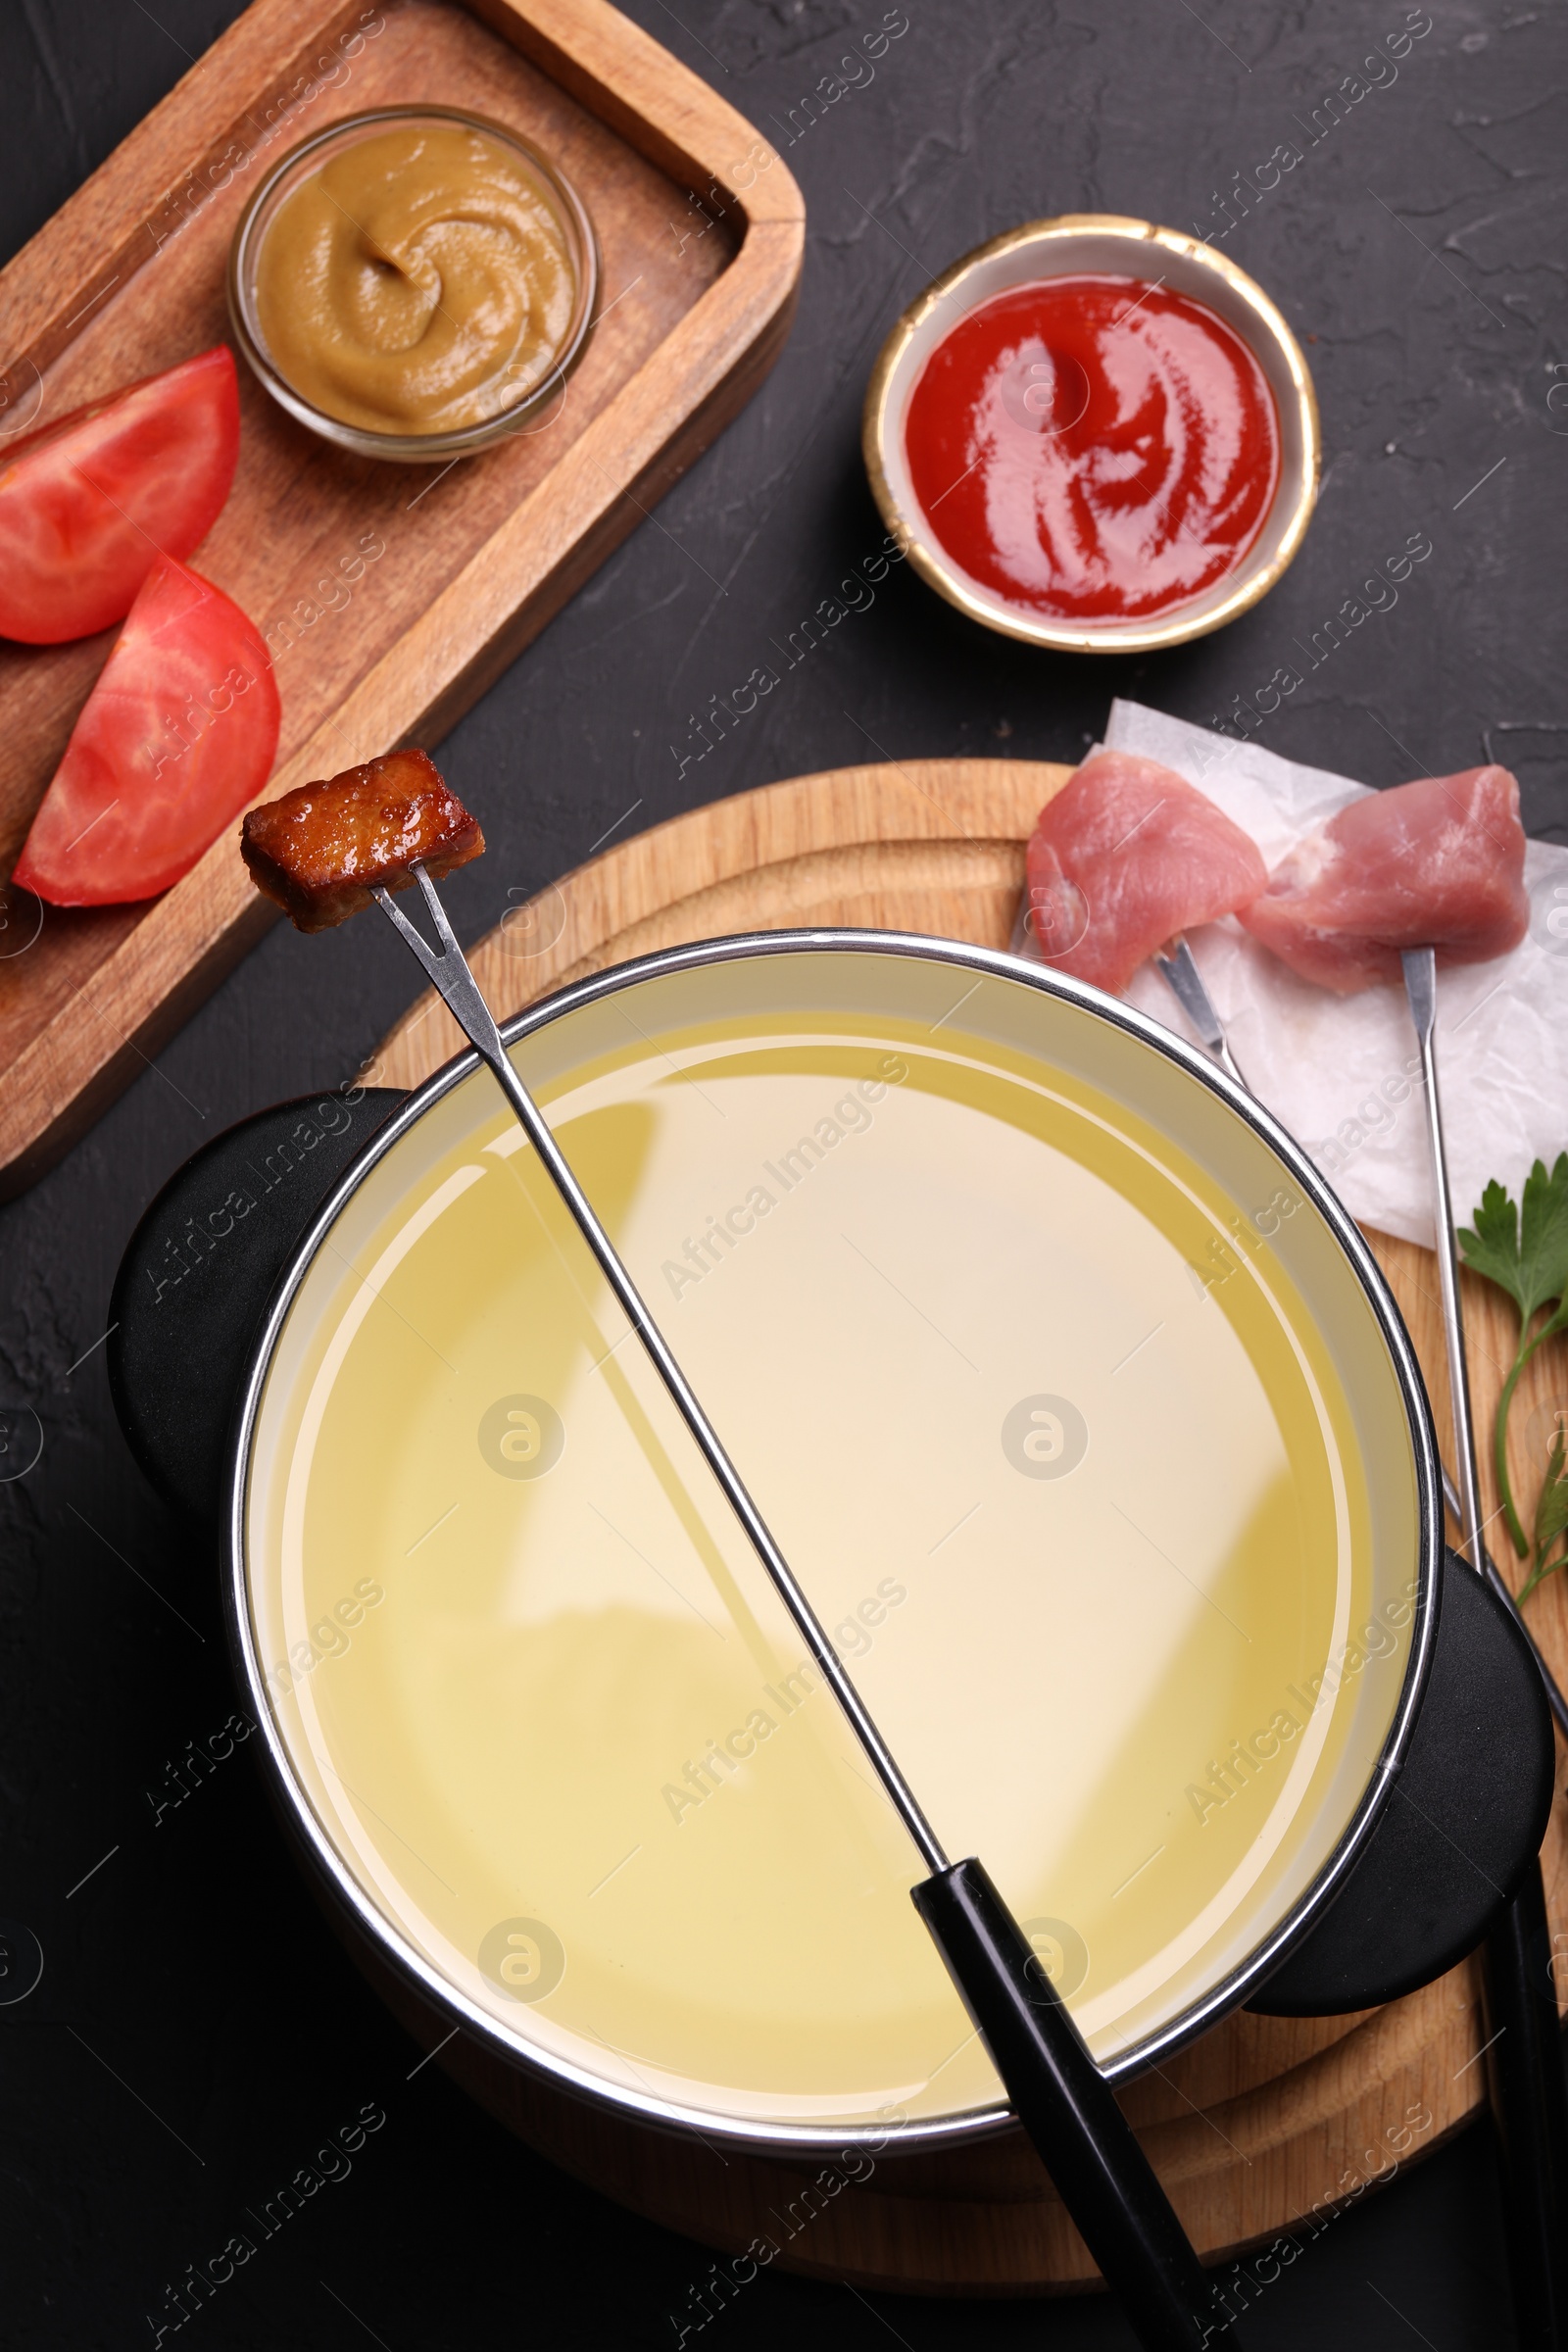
[1525, 1250]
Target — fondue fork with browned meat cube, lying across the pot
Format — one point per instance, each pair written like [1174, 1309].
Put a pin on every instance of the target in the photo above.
[323, 853]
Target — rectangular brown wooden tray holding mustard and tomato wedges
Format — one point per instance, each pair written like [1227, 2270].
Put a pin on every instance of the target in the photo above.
[474, 559]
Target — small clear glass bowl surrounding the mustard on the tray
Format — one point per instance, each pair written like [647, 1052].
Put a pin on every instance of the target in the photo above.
[307, 159]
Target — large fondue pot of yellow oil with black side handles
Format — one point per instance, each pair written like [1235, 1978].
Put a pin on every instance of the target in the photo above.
[1078, 1405]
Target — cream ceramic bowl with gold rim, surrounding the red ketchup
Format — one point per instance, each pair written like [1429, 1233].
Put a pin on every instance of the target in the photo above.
[1101, 243]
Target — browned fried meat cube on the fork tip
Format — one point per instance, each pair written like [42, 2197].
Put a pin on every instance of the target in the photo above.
[323, 848]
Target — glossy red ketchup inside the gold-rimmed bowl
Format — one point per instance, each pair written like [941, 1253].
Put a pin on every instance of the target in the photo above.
[1094, 448]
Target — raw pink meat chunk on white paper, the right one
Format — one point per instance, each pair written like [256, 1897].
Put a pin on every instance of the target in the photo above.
[1433, 864]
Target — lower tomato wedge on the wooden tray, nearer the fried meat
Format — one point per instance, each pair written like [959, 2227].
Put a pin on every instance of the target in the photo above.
[173, 742]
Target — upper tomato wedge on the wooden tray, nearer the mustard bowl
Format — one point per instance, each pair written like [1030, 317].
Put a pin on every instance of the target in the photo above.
[91, 502]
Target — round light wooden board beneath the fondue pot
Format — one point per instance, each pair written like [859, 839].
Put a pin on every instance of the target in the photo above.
[1264, 2120]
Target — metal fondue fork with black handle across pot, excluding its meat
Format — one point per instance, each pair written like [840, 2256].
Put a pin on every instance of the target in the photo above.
[1052, 2080]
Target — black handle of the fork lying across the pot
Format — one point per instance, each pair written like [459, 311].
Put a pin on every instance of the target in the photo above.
[1073, 2118]
